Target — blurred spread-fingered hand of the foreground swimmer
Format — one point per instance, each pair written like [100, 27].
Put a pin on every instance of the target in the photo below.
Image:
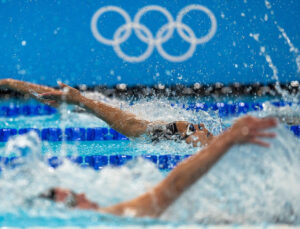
[249, 129]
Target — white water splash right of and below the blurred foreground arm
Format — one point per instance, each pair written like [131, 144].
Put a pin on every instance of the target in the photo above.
[249, 185]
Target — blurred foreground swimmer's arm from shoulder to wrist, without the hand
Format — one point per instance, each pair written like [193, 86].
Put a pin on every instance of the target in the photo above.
[157, 200]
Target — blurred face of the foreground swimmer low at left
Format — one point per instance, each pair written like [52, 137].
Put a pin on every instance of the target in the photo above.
[80, 200]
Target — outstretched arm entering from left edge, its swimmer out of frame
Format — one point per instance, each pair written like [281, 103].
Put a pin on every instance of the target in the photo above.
[25, 87]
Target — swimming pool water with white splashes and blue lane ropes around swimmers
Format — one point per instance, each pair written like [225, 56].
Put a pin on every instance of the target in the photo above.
[249, 185]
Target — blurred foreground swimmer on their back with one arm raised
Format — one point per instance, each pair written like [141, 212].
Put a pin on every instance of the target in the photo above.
[155, 201]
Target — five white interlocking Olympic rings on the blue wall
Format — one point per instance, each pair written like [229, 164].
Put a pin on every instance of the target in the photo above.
[123, 33]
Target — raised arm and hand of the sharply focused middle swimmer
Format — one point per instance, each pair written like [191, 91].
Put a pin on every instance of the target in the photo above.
[122, 121]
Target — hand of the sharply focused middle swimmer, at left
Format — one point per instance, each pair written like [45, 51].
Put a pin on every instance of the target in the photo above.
[68, 95]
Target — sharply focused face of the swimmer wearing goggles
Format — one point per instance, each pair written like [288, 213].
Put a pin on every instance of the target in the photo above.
[195, 134]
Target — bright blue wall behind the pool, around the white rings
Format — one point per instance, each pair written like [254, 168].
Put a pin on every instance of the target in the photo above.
[46, 40]
